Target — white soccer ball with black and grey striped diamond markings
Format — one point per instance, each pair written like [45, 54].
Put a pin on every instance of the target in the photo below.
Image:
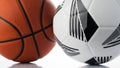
[89, 30]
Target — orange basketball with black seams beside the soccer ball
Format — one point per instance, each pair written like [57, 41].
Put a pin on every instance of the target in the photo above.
[26, 32]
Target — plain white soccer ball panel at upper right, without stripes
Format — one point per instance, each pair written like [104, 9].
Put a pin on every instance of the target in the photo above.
[106, 13]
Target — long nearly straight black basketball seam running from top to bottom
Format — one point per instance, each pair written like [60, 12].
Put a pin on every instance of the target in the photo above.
[29, 24]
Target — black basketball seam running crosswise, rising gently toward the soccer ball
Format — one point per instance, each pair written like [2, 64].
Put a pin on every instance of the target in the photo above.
[25, 35]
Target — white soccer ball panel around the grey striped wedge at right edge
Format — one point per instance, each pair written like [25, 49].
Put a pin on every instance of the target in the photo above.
[96, 43]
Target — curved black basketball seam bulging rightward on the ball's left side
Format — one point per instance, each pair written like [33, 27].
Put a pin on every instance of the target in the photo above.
[20, 34]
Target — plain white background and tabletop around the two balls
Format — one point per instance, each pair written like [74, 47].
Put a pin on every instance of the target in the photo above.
[56, 59]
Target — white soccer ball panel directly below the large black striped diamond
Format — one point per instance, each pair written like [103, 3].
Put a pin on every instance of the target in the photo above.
[84, 50]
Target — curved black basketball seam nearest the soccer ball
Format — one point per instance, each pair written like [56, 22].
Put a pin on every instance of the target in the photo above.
[41, 22]
